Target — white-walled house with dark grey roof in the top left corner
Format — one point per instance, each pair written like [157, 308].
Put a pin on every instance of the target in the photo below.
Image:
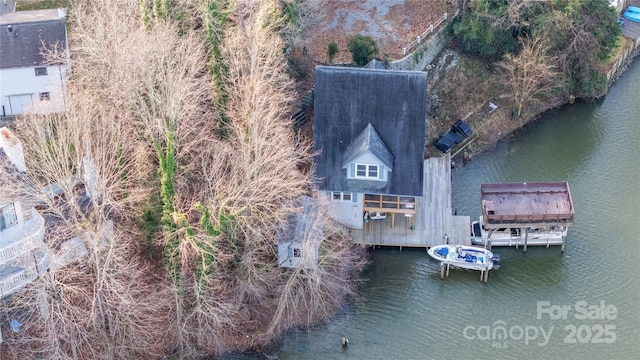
[28, 81]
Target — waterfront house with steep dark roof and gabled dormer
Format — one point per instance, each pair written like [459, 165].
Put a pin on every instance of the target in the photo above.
[369, 131]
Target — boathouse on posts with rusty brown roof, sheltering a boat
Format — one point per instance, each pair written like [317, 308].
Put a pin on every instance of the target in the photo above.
[528, 213]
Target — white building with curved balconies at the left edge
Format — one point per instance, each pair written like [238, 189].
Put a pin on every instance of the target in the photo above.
[23, 254]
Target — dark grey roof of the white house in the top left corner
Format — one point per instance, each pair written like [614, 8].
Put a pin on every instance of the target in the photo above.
[24, 33]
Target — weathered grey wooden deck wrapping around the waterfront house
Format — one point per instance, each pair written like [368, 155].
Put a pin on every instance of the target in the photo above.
[433, 222]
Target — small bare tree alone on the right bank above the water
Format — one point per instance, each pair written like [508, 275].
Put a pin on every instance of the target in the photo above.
[530, 75]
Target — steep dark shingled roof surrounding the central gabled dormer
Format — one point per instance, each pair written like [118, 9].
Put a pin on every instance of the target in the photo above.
[394, 102]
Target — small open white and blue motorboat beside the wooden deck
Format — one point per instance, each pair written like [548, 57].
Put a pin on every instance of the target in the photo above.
[465, 257]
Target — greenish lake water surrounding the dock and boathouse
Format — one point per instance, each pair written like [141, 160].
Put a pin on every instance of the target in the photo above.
[406, 311]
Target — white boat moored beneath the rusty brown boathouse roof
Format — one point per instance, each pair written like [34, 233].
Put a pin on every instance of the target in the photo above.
[553, 235]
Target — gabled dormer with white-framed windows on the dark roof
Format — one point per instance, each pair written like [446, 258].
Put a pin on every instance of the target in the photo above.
[368, 158]
